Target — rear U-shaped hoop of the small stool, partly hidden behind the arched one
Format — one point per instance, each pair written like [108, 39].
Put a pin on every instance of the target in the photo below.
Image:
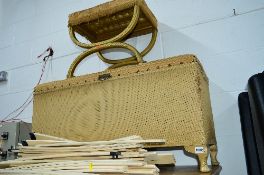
[143, 53]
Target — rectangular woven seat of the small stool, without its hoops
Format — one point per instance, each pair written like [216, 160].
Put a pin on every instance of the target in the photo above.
[109, 19]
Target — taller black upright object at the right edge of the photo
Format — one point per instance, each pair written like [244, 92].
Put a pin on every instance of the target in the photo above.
[256, 98]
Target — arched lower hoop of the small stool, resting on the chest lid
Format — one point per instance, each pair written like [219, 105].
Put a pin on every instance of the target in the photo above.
[103, 47]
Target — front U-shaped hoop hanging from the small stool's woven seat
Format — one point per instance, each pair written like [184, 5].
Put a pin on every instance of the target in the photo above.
[119, 37]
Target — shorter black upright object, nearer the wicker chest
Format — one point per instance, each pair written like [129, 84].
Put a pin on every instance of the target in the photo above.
[250, 147]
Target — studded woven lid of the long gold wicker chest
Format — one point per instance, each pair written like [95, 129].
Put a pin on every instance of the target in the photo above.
[122, 72]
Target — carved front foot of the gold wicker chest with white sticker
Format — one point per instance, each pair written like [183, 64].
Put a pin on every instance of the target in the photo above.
[202, 153]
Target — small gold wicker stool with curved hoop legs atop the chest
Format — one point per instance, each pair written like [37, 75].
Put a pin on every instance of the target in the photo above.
[108, 24]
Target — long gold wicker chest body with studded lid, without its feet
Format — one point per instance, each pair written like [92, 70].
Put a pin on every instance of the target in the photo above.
[161, 99]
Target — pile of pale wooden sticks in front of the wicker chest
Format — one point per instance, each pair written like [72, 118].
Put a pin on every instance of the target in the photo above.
[53, 155]
